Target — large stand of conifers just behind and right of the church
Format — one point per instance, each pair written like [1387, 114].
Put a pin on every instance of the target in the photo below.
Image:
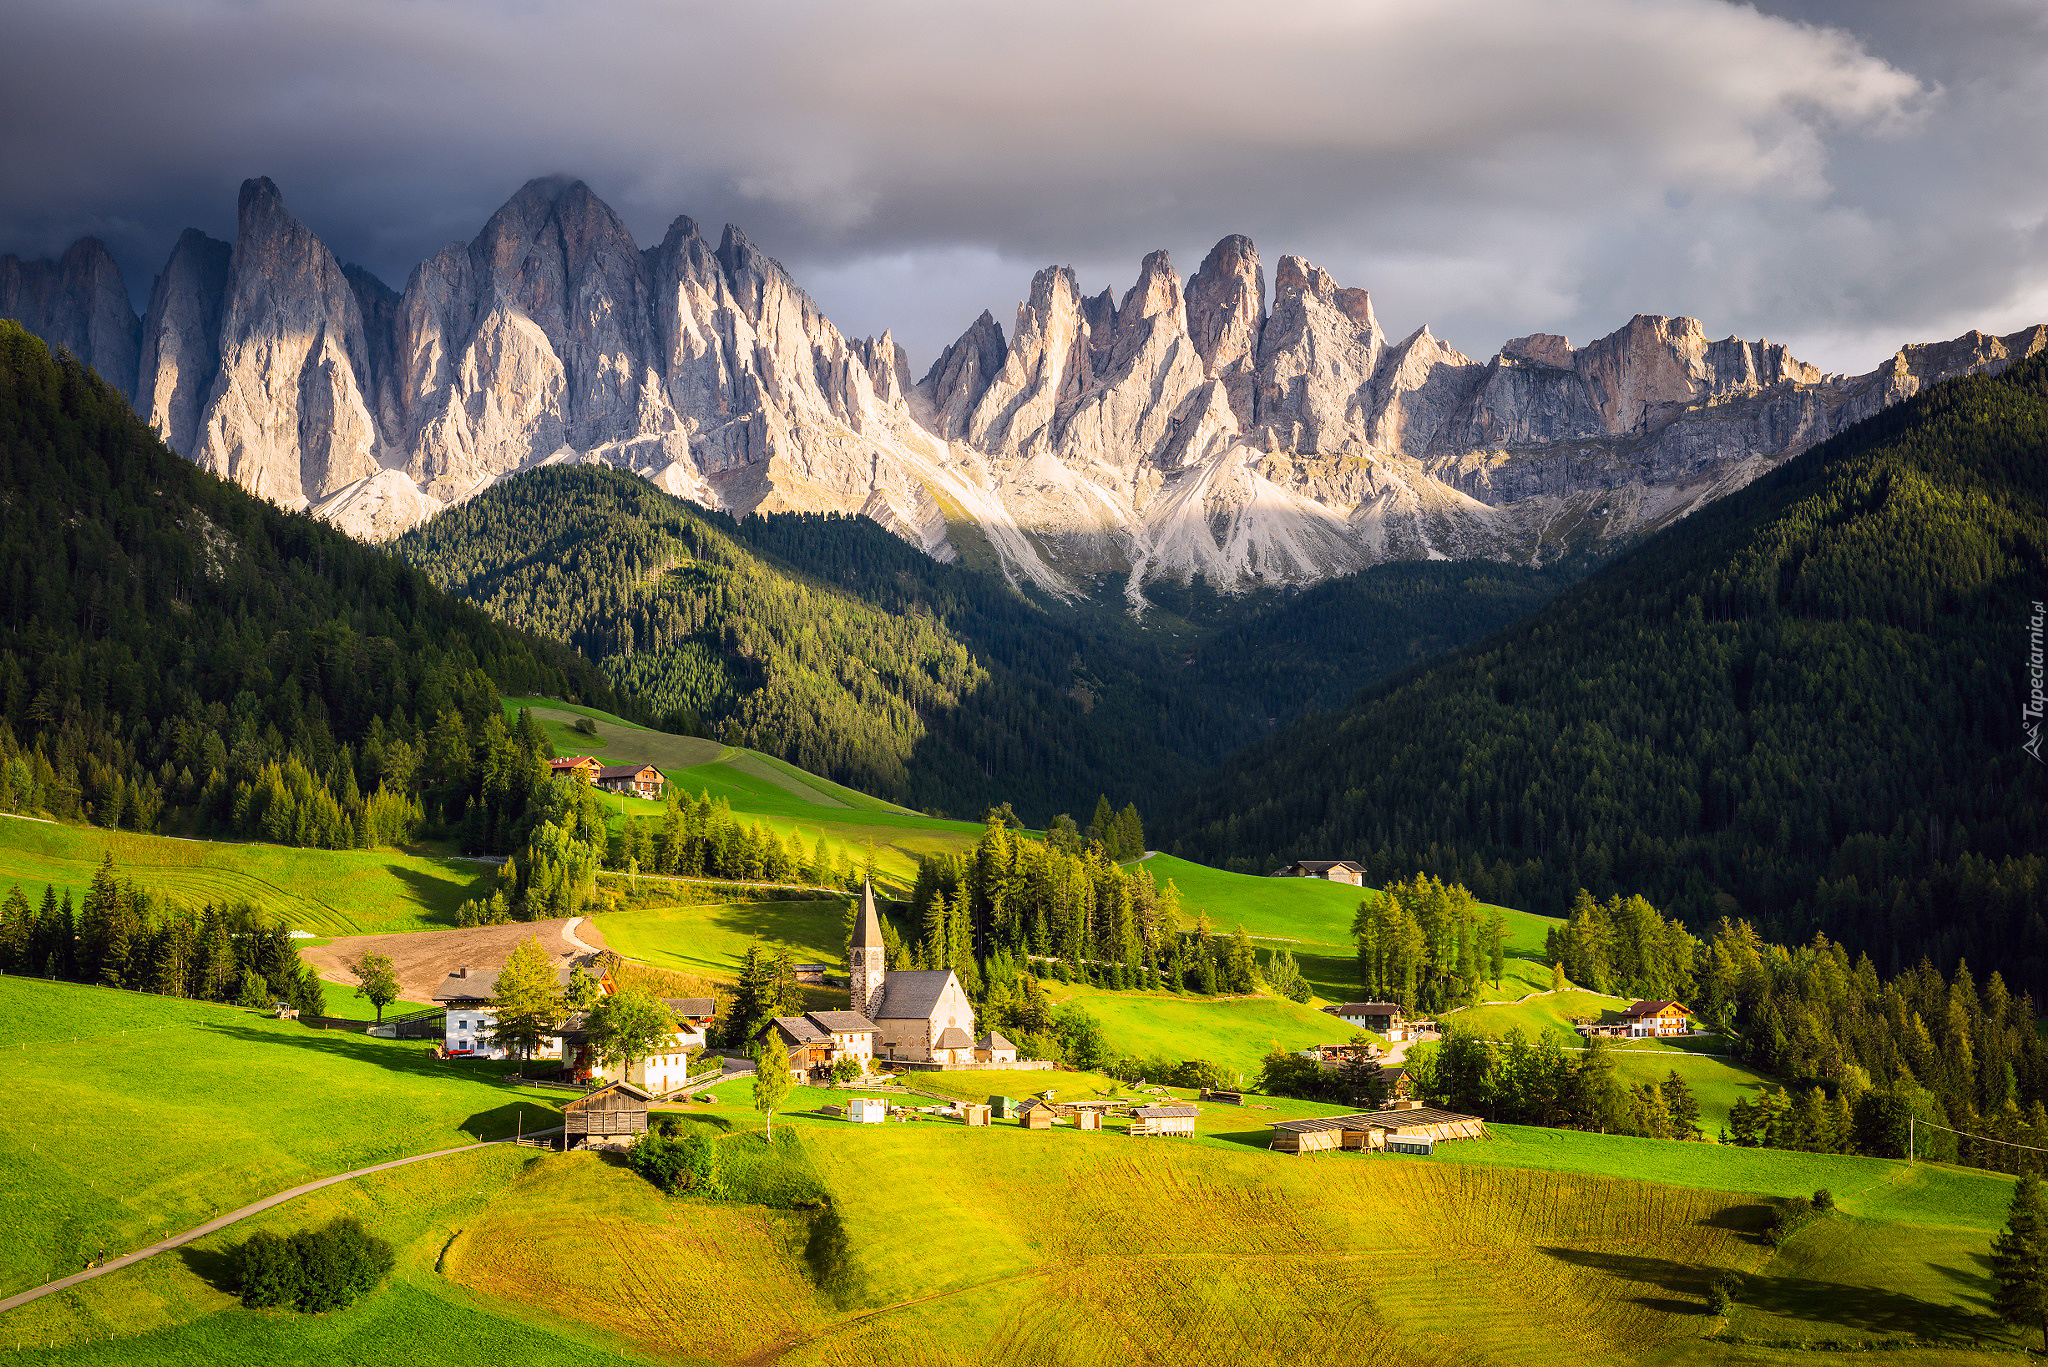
[1066, 907]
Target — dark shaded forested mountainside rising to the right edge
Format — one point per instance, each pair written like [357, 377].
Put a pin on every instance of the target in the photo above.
[1803, 706]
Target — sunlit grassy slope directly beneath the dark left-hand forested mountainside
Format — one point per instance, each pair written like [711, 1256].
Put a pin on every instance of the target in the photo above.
[329, 893]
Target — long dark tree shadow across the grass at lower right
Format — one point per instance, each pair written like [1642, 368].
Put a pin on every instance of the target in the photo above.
[1867, 1311]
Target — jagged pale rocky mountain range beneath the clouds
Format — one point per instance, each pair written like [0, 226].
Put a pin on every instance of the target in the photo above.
[1189, 429]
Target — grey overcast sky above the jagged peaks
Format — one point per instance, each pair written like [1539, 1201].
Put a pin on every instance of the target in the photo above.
[1840, 175]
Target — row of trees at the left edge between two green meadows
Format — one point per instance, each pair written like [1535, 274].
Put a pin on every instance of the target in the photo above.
[126, 938]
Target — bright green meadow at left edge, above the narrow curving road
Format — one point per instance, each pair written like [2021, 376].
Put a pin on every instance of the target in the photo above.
[198, 1110]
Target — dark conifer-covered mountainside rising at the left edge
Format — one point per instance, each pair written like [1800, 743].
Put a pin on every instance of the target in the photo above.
[181, 655]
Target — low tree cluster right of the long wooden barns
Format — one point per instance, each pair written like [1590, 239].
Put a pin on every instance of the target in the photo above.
[1539, 1083]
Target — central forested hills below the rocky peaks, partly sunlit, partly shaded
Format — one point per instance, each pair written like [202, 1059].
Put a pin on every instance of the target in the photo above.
[835, 645]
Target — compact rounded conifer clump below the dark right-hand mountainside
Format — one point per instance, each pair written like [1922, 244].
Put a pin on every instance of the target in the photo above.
[1428, 946]
